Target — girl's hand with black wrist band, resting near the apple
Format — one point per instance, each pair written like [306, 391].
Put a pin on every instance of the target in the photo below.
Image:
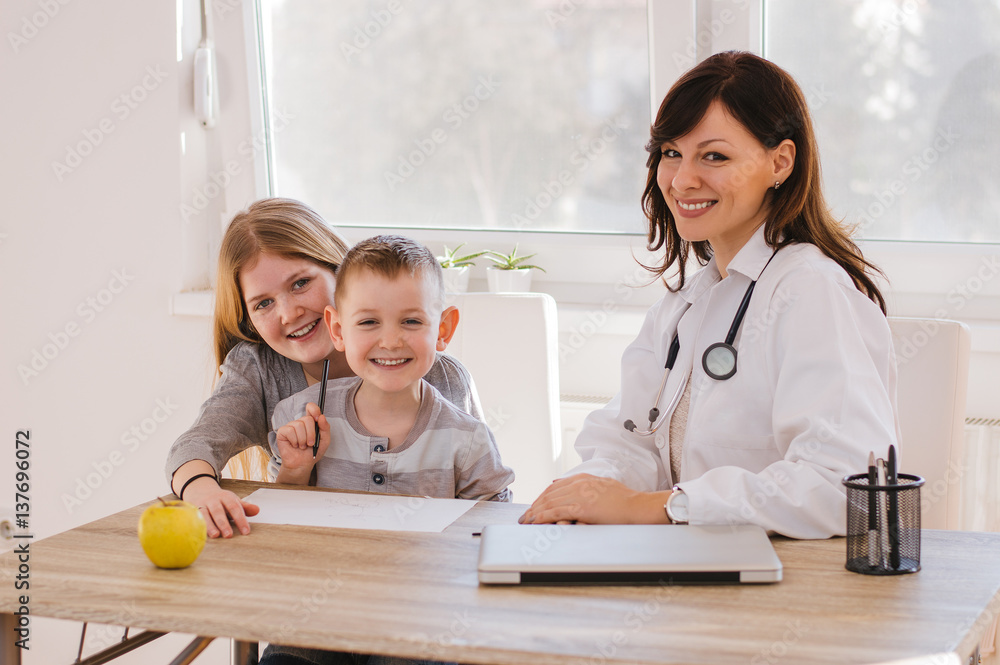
[219, 507]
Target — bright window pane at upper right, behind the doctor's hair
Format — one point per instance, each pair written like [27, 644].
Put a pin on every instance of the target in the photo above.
[906, 99]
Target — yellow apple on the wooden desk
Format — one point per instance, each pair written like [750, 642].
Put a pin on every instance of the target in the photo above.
[172, 533]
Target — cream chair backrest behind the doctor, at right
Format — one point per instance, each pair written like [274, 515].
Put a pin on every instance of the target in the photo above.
[932, 360]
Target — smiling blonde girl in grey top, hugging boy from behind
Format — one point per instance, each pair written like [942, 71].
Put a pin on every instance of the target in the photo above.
[277, 268]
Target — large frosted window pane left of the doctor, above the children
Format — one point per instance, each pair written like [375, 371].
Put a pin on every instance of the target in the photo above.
[516, 114]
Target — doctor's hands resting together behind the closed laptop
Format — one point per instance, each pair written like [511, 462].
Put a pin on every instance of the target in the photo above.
[594, 500]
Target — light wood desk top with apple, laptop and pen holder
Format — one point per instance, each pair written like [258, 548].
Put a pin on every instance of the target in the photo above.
[416, 595]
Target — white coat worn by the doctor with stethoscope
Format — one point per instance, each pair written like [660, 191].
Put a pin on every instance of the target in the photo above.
[814, 392]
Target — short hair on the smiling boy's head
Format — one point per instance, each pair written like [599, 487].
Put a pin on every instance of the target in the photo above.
[388, 255]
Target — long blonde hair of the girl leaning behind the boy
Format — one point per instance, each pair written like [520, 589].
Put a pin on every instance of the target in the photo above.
[278, 226]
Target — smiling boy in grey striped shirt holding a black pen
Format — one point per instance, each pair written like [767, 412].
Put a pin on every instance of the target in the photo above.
[387, 430]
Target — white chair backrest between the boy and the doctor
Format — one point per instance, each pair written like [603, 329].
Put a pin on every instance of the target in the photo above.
[509, 344]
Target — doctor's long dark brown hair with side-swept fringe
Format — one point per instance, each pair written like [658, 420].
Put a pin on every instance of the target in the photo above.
[769, 104]
